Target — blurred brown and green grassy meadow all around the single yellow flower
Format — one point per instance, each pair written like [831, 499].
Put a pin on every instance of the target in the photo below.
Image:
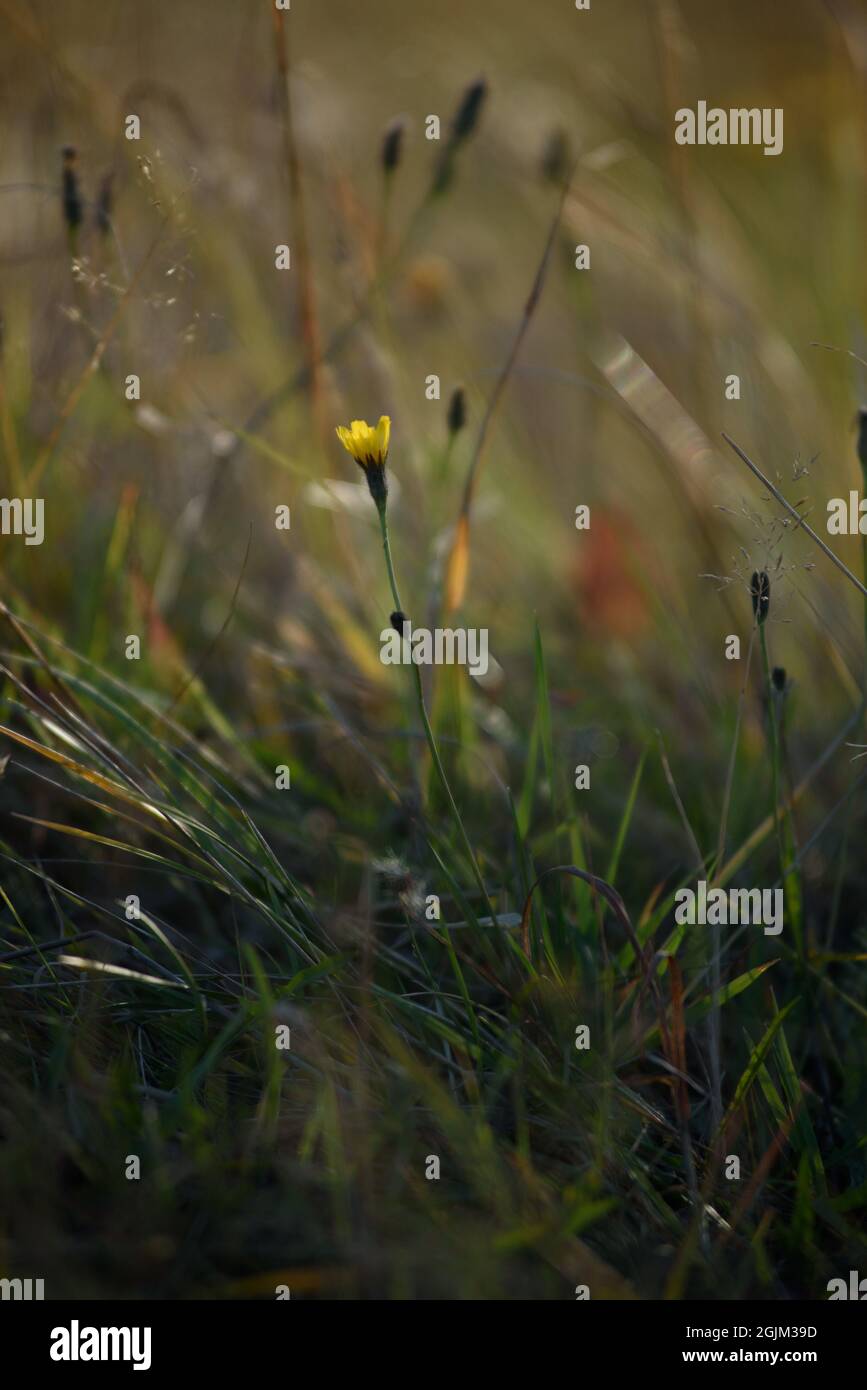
[261, 648]
